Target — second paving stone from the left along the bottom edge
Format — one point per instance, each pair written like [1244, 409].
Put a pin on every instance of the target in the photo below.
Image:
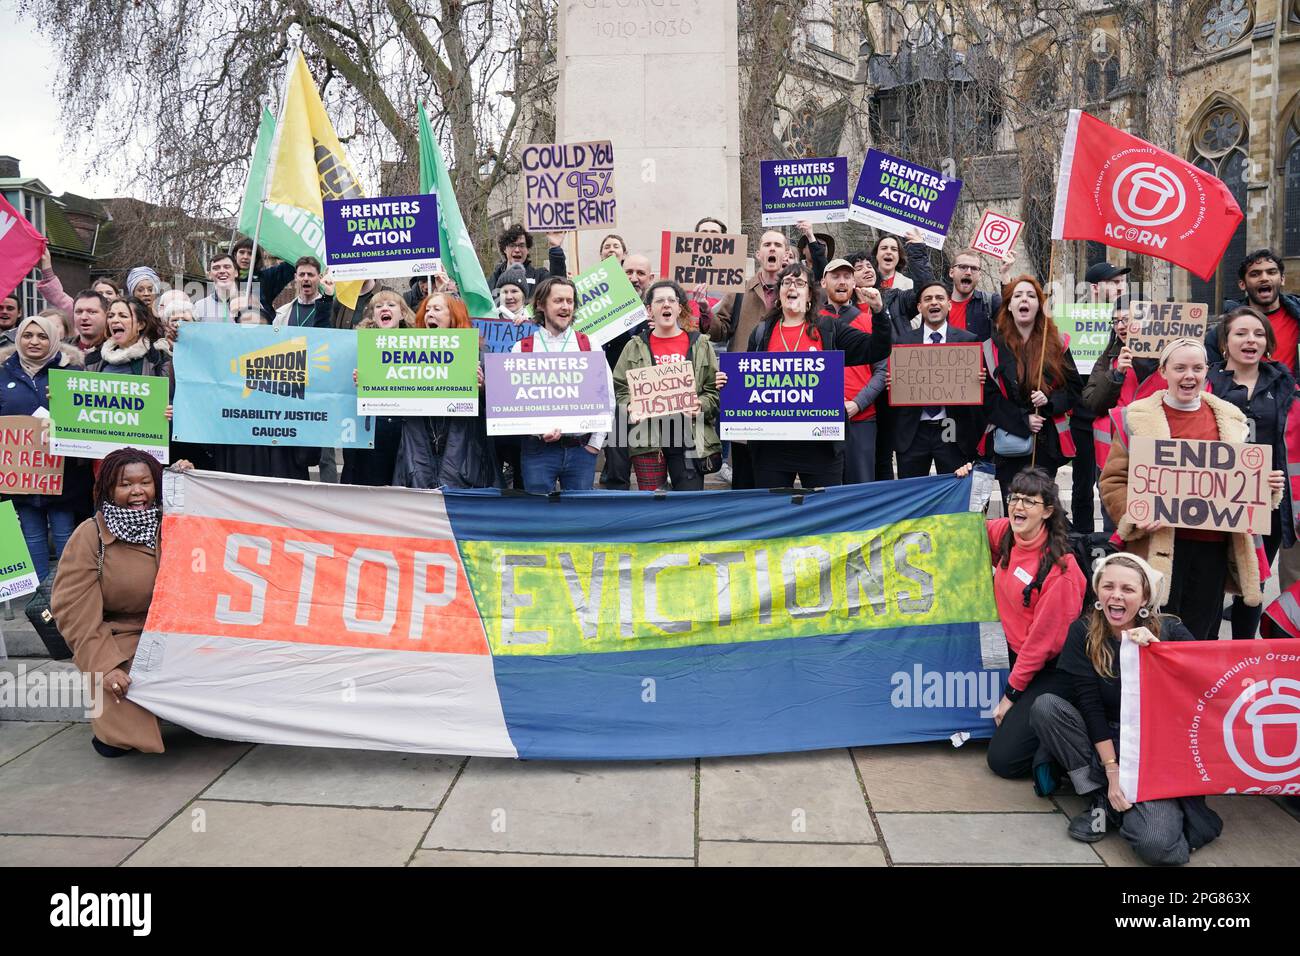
[258, 836]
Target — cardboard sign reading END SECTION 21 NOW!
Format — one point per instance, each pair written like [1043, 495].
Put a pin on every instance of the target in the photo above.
[1214, 486]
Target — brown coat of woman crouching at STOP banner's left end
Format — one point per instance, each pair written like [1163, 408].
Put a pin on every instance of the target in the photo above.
[102, 622]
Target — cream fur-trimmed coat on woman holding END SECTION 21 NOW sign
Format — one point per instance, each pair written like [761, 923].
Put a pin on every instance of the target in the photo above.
[1146, 418]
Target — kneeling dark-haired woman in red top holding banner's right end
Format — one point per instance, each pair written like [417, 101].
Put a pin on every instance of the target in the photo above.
[1039, 591]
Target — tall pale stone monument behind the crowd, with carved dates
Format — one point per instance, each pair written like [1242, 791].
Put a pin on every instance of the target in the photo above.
[658, 79]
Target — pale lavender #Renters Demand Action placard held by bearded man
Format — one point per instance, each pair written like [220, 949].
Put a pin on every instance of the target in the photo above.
[534, 393]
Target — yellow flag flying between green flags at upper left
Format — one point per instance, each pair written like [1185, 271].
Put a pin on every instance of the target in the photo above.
[309, 163]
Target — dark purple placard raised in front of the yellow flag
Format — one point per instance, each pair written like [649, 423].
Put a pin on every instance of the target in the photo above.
[383, 239]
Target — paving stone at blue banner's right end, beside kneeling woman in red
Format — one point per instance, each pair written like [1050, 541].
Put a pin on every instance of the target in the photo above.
[938, 777]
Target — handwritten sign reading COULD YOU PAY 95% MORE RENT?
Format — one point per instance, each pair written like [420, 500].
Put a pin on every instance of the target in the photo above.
[569, 188]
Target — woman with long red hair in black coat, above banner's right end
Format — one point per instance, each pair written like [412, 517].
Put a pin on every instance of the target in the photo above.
[1038, 384]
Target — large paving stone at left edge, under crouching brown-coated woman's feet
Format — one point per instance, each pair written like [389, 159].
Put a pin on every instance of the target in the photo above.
[64, 788]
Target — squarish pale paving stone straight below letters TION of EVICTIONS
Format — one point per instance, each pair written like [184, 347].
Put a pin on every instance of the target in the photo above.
[786, 798]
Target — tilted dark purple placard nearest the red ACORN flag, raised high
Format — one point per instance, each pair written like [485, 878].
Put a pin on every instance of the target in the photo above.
[898, 196]
